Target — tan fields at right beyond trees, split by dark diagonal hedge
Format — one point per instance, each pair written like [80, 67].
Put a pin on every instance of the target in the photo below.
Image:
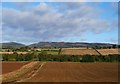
[77, 51]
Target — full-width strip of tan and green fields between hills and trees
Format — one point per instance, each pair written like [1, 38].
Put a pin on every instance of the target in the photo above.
[73, 51]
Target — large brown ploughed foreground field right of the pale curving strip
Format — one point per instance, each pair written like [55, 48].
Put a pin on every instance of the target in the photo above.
[72, 72]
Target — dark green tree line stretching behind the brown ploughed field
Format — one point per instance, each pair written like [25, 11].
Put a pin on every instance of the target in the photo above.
[43, 56]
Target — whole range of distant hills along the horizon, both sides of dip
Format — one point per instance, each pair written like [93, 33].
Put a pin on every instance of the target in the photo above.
[55, 44]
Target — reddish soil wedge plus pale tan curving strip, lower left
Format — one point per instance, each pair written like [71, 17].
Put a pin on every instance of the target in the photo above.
[16, 72]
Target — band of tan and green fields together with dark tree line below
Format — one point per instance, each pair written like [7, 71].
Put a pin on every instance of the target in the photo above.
[65, 54]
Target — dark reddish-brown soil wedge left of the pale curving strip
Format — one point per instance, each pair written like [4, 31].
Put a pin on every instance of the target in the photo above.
[11, 66]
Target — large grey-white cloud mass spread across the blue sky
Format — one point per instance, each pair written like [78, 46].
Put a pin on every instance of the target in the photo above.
[47, 23]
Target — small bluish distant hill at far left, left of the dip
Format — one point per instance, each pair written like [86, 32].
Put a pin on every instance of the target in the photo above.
[11, 45]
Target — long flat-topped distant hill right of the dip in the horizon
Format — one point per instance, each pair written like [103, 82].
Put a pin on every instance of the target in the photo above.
[69, 44]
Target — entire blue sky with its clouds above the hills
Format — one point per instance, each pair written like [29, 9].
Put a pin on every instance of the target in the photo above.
[31, 22]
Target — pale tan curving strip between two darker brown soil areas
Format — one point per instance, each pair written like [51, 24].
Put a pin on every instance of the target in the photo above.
[16, 75]
